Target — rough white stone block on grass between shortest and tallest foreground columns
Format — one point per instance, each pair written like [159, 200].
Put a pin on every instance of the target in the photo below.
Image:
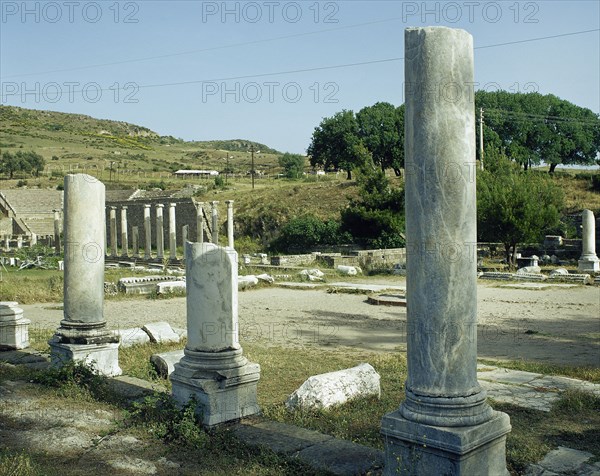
[335, 388]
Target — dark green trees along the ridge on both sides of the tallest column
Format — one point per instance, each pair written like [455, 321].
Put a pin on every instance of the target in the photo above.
[527, 128]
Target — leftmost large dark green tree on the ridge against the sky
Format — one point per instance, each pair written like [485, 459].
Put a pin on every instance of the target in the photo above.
[336, 144]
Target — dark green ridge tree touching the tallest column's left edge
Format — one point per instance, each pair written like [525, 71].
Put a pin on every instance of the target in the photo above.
[381, 128]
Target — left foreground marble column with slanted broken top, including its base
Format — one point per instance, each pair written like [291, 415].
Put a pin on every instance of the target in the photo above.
[82, 335]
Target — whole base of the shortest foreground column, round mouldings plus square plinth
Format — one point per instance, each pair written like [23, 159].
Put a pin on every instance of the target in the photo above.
[222, 395]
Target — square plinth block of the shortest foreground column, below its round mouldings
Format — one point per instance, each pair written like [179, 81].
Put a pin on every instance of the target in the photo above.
[228, 396]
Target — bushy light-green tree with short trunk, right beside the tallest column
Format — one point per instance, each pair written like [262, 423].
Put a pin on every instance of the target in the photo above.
[514, 206]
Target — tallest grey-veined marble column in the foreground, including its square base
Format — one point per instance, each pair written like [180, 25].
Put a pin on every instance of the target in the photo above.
[445, 425]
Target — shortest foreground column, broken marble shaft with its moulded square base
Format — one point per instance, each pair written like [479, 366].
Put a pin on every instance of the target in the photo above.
[213, 369]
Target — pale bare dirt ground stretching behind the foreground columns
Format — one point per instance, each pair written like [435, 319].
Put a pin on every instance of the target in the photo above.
[558, 325]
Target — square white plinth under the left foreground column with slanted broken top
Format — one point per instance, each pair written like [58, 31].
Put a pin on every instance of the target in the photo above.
[104, 358]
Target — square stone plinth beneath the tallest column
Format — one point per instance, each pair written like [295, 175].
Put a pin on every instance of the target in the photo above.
[417, 449]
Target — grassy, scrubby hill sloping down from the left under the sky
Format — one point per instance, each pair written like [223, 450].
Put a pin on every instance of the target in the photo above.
[79, 142]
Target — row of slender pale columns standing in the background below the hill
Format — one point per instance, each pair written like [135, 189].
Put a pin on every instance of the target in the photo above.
[160, 245]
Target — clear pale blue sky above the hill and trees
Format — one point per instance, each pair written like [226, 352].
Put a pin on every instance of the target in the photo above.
[270, 71]
